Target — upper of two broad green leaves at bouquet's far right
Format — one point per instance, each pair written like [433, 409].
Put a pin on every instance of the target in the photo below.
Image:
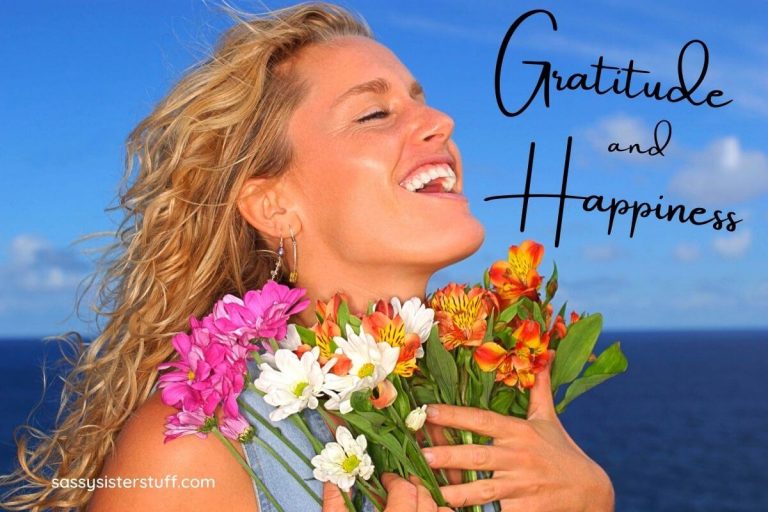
[574, 350]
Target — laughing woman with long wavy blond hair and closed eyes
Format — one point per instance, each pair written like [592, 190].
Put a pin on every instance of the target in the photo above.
[300, 128]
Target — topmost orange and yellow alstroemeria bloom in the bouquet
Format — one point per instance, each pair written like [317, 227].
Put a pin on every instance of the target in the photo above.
[518, 276]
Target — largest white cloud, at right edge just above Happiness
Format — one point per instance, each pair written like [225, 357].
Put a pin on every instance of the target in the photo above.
[723, 173]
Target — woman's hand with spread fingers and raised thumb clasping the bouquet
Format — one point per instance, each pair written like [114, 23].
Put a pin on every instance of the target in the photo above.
[536, 464]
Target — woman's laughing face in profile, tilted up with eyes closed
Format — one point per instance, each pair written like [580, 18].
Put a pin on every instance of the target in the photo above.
[379, 178]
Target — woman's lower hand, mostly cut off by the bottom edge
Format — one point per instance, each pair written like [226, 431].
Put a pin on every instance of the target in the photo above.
[402, 496]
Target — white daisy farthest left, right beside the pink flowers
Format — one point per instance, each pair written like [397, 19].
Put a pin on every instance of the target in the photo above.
[293, 385]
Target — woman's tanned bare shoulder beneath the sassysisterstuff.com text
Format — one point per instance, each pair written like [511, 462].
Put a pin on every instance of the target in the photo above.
[186, 474]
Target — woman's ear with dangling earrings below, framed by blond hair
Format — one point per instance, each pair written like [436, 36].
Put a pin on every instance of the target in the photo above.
[264, 206]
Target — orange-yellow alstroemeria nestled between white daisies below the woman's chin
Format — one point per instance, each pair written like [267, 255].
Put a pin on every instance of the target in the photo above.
[384, 325]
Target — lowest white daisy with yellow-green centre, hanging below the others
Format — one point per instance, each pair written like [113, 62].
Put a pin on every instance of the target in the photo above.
[343, 461]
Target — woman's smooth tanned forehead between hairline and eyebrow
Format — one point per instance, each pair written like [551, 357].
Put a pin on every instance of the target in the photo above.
[329, 69]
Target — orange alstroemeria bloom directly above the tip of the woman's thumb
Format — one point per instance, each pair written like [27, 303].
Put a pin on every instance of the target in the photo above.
[516, 366]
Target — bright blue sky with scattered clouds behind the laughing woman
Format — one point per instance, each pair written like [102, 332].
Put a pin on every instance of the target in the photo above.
[78, 76]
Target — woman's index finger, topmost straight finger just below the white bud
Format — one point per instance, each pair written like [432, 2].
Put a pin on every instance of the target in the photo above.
[487, 423]
